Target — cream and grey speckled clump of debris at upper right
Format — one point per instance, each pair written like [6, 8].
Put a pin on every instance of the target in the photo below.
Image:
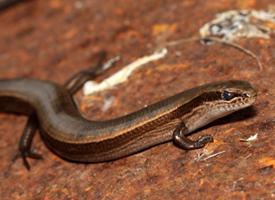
[234, 24]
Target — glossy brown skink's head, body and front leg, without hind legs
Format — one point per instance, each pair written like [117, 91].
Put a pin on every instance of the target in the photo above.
[66, 132]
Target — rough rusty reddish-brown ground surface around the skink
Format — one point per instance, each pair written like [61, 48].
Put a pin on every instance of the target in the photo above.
[54, 39]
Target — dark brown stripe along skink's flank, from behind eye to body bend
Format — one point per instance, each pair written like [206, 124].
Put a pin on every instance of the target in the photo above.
[112, 143]
